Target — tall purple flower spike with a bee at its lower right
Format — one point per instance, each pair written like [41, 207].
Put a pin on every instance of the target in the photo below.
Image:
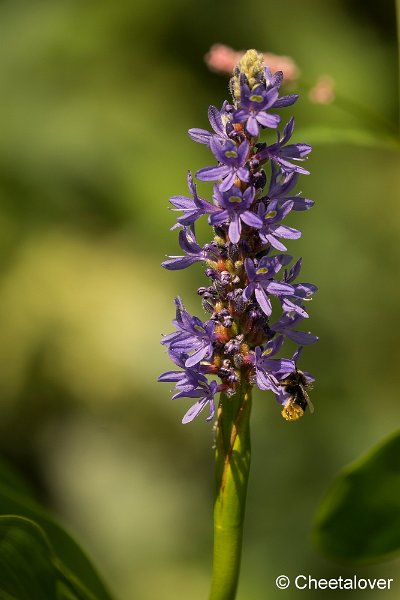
[254, 299]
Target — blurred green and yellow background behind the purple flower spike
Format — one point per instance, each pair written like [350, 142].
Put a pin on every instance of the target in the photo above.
[96, 99]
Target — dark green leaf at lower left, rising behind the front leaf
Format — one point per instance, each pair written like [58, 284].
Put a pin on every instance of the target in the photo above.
[69, 557]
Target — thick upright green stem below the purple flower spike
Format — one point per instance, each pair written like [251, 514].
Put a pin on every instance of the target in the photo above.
[232, 465]
